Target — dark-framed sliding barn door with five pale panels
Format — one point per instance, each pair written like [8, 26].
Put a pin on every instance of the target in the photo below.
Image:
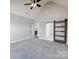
[60, 31]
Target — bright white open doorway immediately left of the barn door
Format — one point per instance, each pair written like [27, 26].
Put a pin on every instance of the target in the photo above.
[49, 31]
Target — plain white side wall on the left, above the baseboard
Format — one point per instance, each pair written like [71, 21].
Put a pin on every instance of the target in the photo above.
[20, 28]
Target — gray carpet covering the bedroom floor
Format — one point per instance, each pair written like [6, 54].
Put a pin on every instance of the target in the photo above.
[38, 49]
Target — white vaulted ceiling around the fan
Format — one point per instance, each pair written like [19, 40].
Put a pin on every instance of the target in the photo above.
[17, 7]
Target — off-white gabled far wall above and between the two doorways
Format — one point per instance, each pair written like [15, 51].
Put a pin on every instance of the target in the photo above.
[49, 13]
